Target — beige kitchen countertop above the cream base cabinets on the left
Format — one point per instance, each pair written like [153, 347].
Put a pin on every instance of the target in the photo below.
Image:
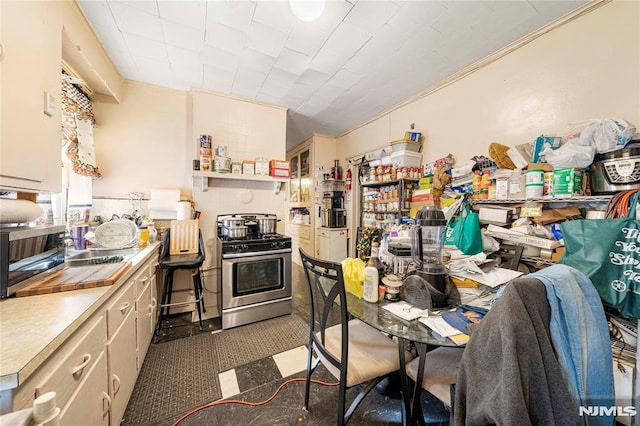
[33, 327]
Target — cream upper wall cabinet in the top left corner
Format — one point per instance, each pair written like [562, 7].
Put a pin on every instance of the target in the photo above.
[30, 90]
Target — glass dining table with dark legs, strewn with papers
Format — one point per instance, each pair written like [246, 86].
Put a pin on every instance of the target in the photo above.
[407, 332]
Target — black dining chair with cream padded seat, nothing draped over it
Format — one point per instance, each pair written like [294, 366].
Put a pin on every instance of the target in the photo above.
[367, 357]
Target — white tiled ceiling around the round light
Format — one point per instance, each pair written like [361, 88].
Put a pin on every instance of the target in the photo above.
[359, 59]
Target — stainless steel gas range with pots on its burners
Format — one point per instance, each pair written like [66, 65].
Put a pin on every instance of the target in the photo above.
[255, 270]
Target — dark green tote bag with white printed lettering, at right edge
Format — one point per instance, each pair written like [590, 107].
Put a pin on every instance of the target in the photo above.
[608, 252]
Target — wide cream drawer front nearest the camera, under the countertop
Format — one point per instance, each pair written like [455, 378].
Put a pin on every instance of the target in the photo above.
[69, 373]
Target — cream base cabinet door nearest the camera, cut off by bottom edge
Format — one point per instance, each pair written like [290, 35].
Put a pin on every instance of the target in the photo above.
[91, 404]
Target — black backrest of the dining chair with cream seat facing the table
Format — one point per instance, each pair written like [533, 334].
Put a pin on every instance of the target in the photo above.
[327, 303]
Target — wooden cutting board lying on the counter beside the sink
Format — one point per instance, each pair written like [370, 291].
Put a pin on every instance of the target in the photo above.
[76, 278]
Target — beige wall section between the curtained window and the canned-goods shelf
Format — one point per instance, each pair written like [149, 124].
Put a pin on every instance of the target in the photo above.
[141, 142]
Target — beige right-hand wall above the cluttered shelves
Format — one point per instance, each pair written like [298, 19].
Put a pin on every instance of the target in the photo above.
[587, 68]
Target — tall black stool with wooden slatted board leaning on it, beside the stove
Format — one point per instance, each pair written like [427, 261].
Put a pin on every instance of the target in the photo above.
[174, 258]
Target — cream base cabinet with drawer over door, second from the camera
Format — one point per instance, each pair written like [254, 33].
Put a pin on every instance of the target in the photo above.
[121, 351]
